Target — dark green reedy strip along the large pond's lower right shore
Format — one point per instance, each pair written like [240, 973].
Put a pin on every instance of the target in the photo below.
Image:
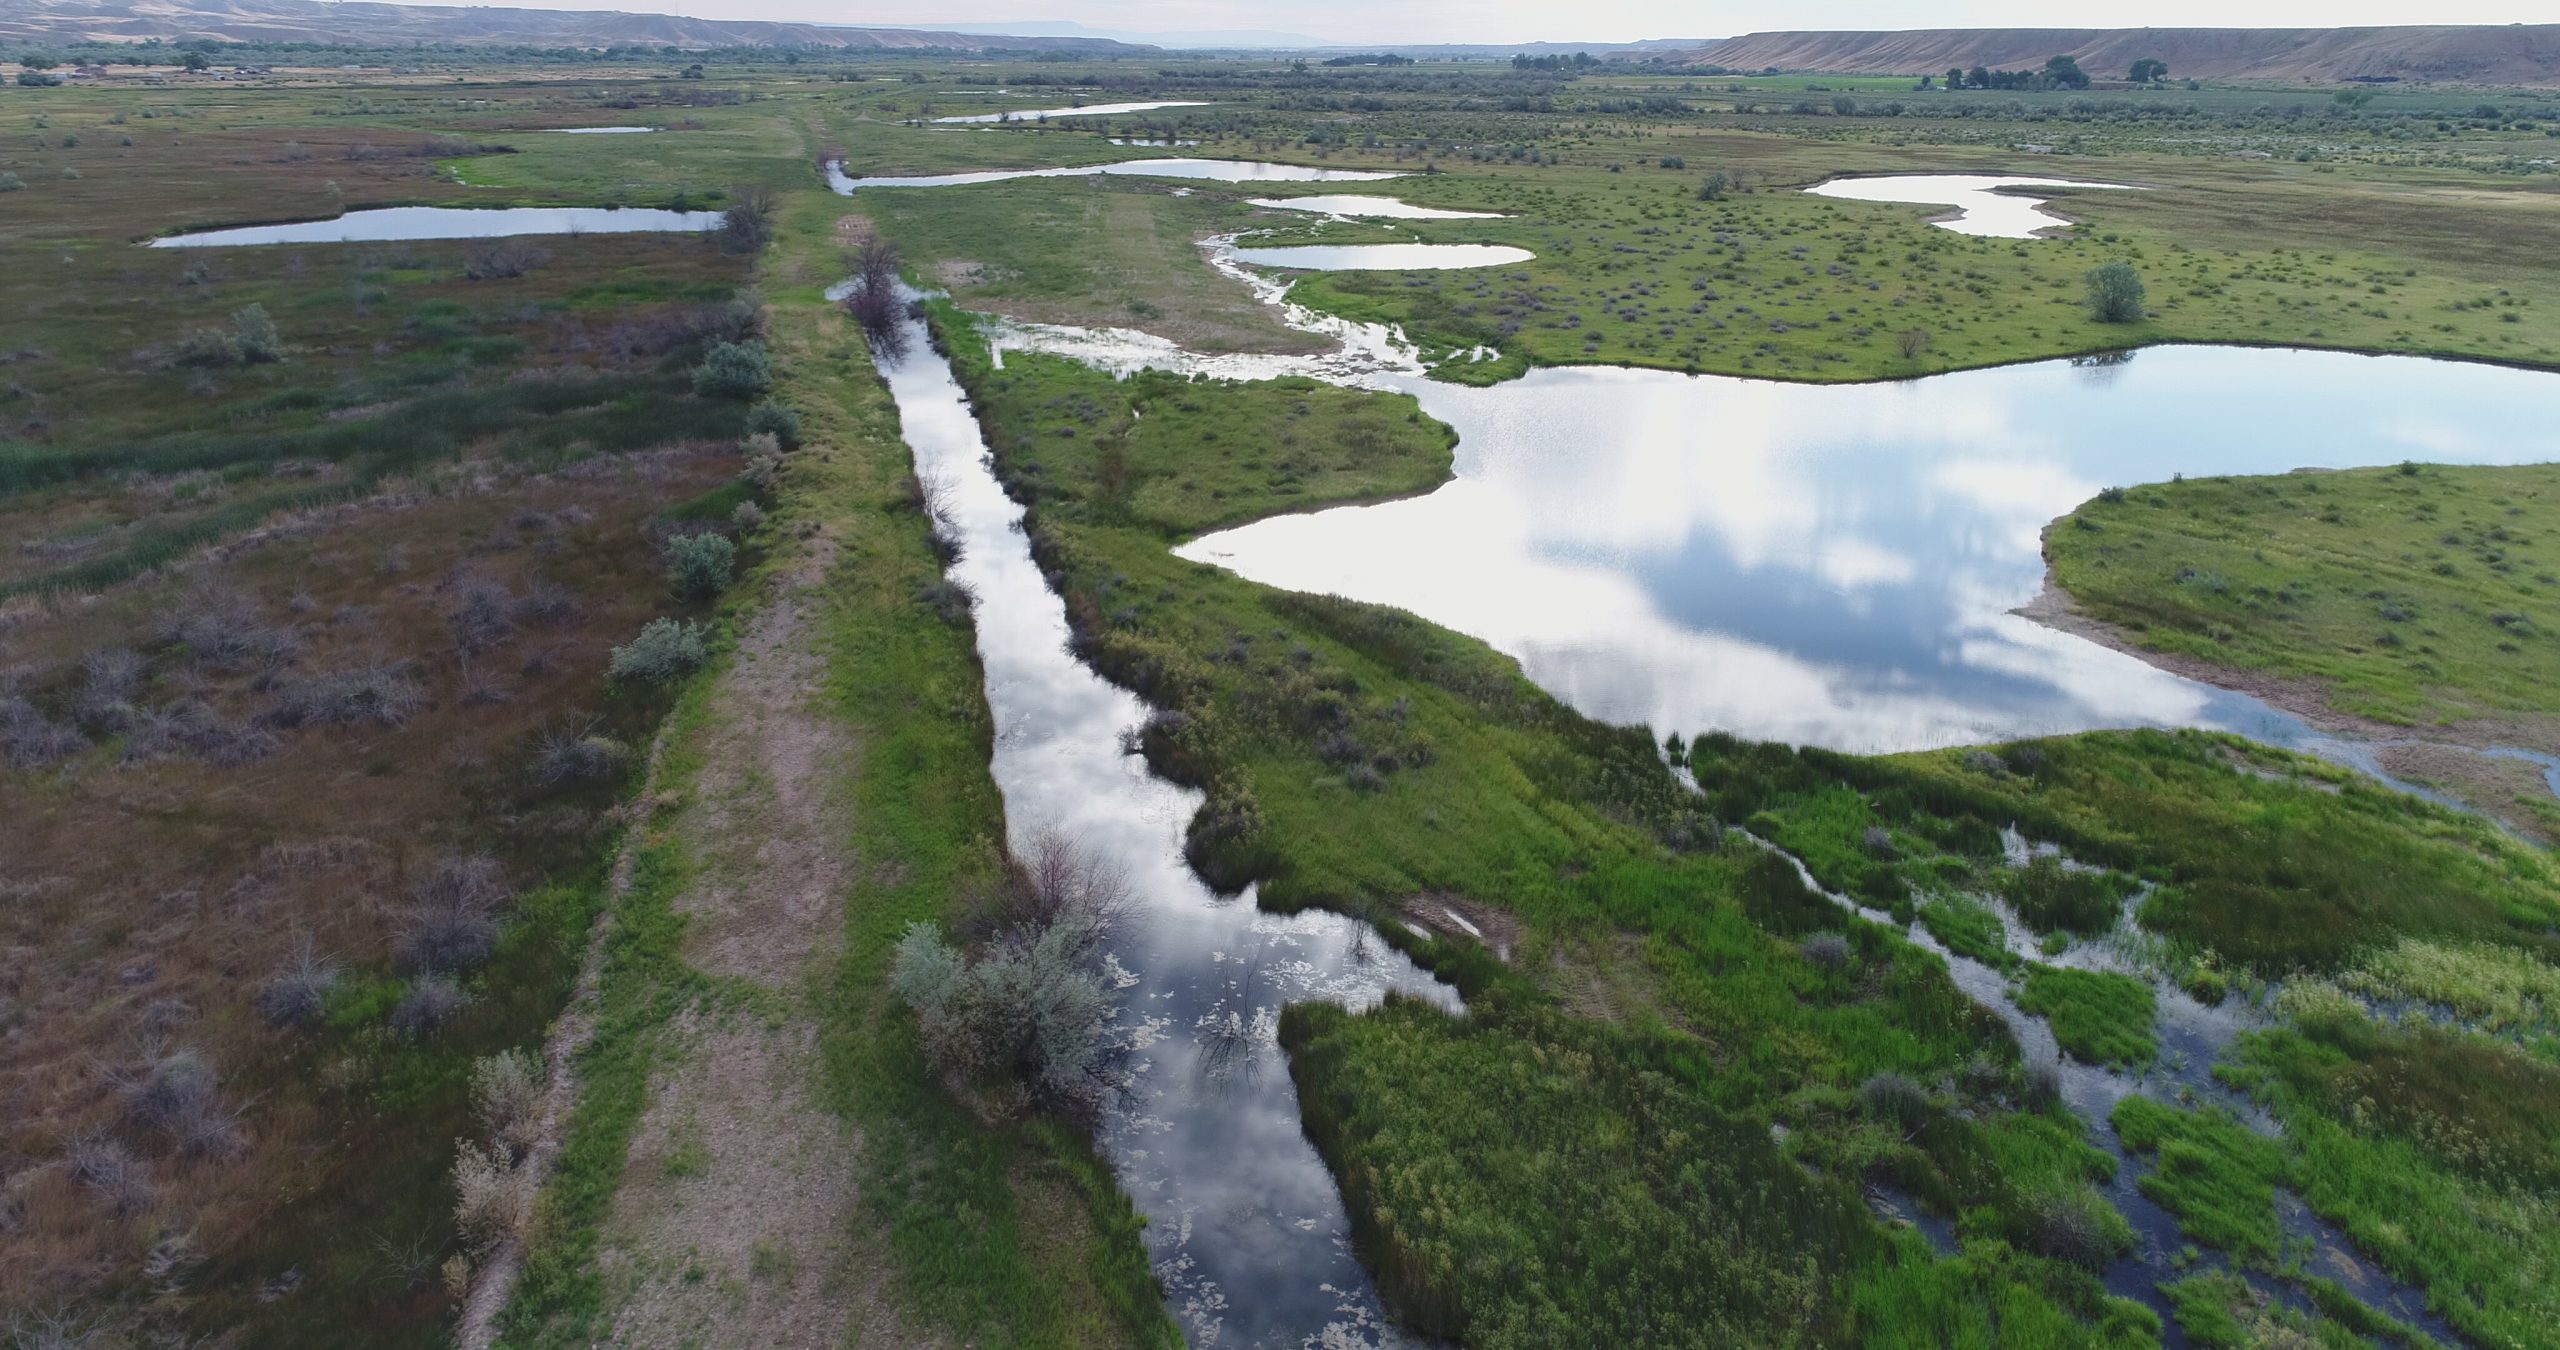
[2262, 859]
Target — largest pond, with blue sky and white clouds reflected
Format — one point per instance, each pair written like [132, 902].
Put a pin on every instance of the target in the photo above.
[1839, 565]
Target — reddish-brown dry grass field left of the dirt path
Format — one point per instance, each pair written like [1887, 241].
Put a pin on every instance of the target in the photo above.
[147, 906]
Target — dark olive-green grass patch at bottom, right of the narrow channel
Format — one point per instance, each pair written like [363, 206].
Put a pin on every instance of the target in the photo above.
[1527, 1182]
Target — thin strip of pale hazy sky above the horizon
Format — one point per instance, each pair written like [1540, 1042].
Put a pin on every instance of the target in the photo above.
[1356, 22]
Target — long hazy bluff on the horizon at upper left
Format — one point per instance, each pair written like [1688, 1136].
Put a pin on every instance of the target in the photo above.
[367, 24]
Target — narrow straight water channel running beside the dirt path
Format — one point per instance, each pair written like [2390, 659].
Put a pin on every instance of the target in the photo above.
[1243, 1221]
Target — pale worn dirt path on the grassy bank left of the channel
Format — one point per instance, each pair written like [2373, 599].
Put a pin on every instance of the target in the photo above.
[739, 1210]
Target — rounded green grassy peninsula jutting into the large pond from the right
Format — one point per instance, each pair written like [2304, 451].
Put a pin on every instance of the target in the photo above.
[2413, 596]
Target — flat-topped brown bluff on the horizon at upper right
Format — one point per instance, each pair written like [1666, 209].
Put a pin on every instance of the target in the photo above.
[2482, 55]
